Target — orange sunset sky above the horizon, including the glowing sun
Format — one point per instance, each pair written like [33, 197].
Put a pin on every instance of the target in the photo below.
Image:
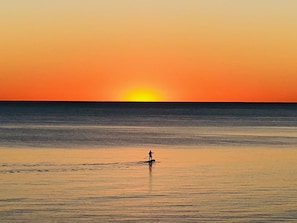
[156, 50]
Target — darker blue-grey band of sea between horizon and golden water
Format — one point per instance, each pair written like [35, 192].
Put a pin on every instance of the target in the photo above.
[94, 125]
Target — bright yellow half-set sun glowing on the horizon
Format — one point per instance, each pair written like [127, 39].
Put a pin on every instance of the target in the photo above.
[142, 95]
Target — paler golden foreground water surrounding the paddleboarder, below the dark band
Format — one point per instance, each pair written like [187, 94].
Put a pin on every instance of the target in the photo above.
[184, 185]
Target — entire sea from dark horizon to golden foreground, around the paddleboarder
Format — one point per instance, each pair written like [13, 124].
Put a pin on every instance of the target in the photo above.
[84, 162]
